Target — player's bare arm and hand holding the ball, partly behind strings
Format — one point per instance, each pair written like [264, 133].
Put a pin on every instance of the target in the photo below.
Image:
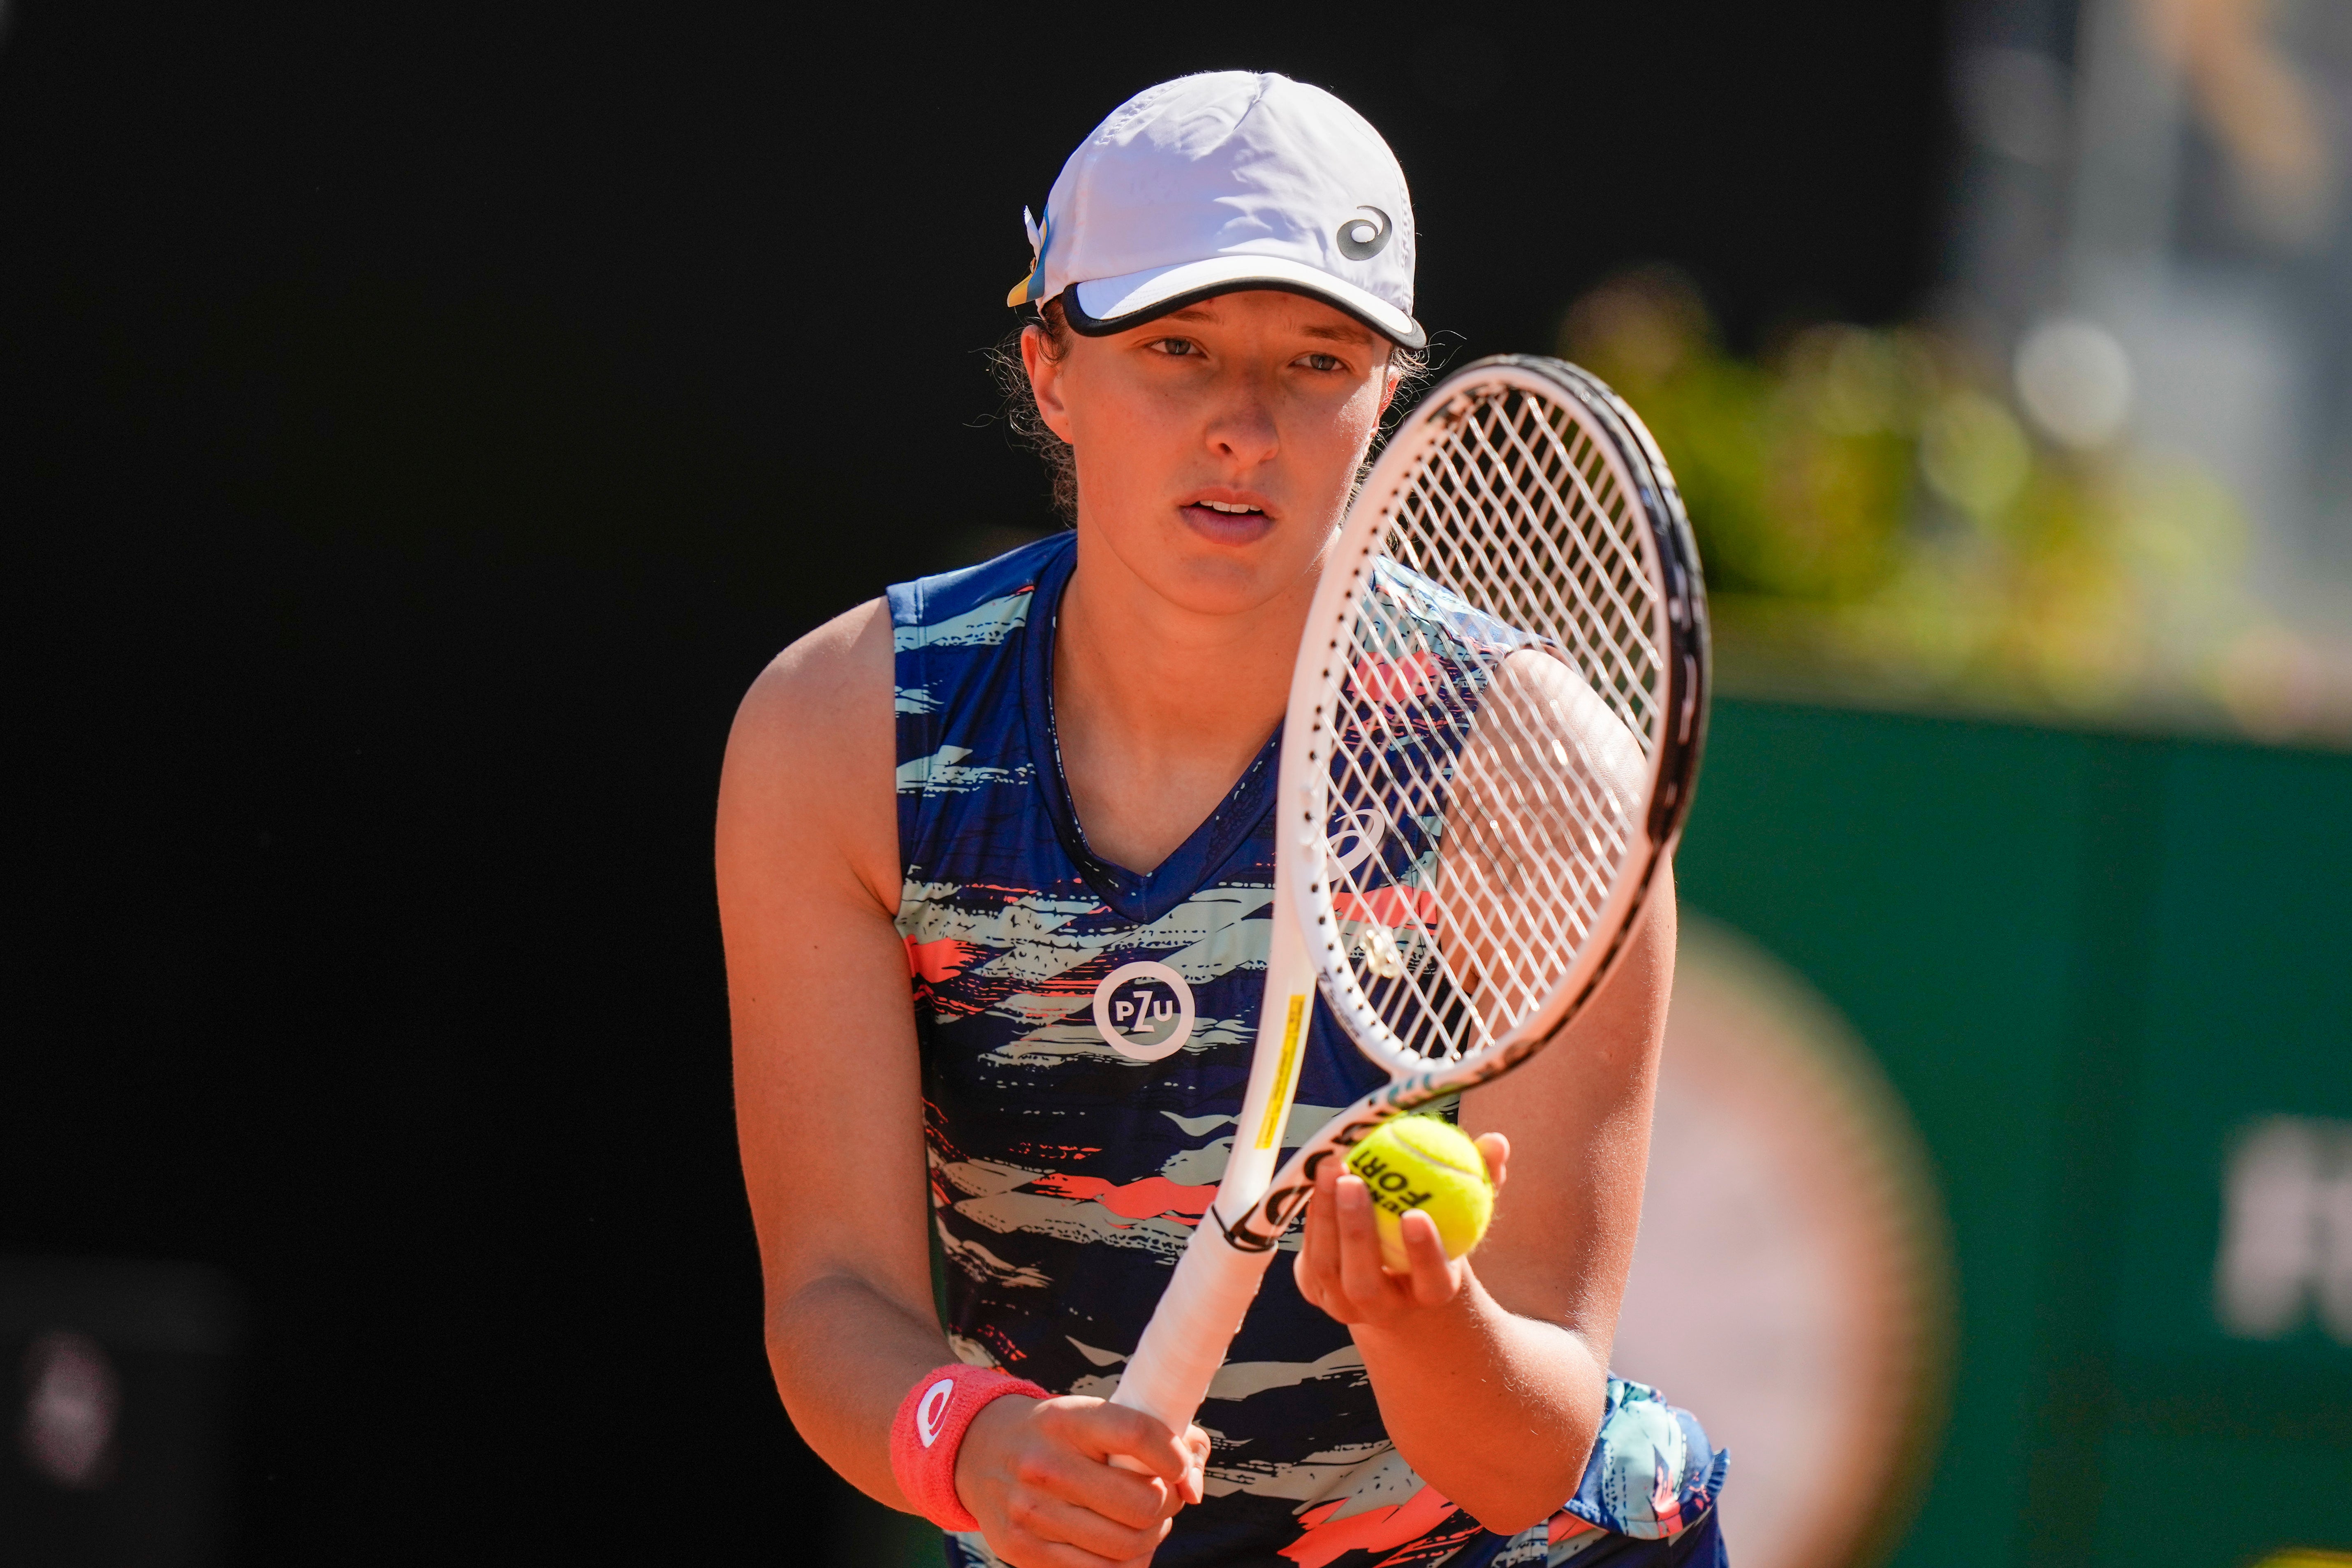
[1492, 1381]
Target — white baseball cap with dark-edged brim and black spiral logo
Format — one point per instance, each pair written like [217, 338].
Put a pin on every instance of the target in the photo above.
[1231, 180]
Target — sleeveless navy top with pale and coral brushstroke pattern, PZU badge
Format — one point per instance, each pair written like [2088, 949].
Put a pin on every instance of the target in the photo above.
[1085, 1043]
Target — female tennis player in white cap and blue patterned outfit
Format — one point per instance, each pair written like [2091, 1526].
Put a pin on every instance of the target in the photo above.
[996, 862]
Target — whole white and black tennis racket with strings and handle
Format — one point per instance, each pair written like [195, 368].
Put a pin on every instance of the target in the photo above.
[1490, 749]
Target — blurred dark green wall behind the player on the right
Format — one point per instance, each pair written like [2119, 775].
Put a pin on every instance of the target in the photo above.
[2087, 963]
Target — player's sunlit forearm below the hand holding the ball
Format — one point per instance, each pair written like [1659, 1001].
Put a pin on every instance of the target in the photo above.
[1492, 1409]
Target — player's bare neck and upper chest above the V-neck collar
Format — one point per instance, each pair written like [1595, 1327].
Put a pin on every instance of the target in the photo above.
[1163, 709]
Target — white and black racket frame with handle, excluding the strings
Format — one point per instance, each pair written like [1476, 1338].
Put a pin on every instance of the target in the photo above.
[1255, 1205]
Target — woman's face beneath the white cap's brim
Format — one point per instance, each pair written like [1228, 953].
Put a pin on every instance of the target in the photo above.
[1217, 445]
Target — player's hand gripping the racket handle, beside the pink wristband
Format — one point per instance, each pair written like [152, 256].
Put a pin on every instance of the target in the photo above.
[1038, 1477]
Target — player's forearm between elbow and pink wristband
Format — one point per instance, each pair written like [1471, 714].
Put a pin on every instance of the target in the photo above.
[846, 1353]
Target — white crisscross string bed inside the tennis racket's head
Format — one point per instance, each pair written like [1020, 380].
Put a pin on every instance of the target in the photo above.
[1497, 704]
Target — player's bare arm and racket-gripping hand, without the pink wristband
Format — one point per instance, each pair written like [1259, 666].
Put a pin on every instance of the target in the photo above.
[829, 1118]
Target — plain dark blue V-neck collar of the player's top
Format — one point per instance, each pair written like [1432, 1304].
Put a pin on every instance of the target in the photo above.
[1140, 897]
